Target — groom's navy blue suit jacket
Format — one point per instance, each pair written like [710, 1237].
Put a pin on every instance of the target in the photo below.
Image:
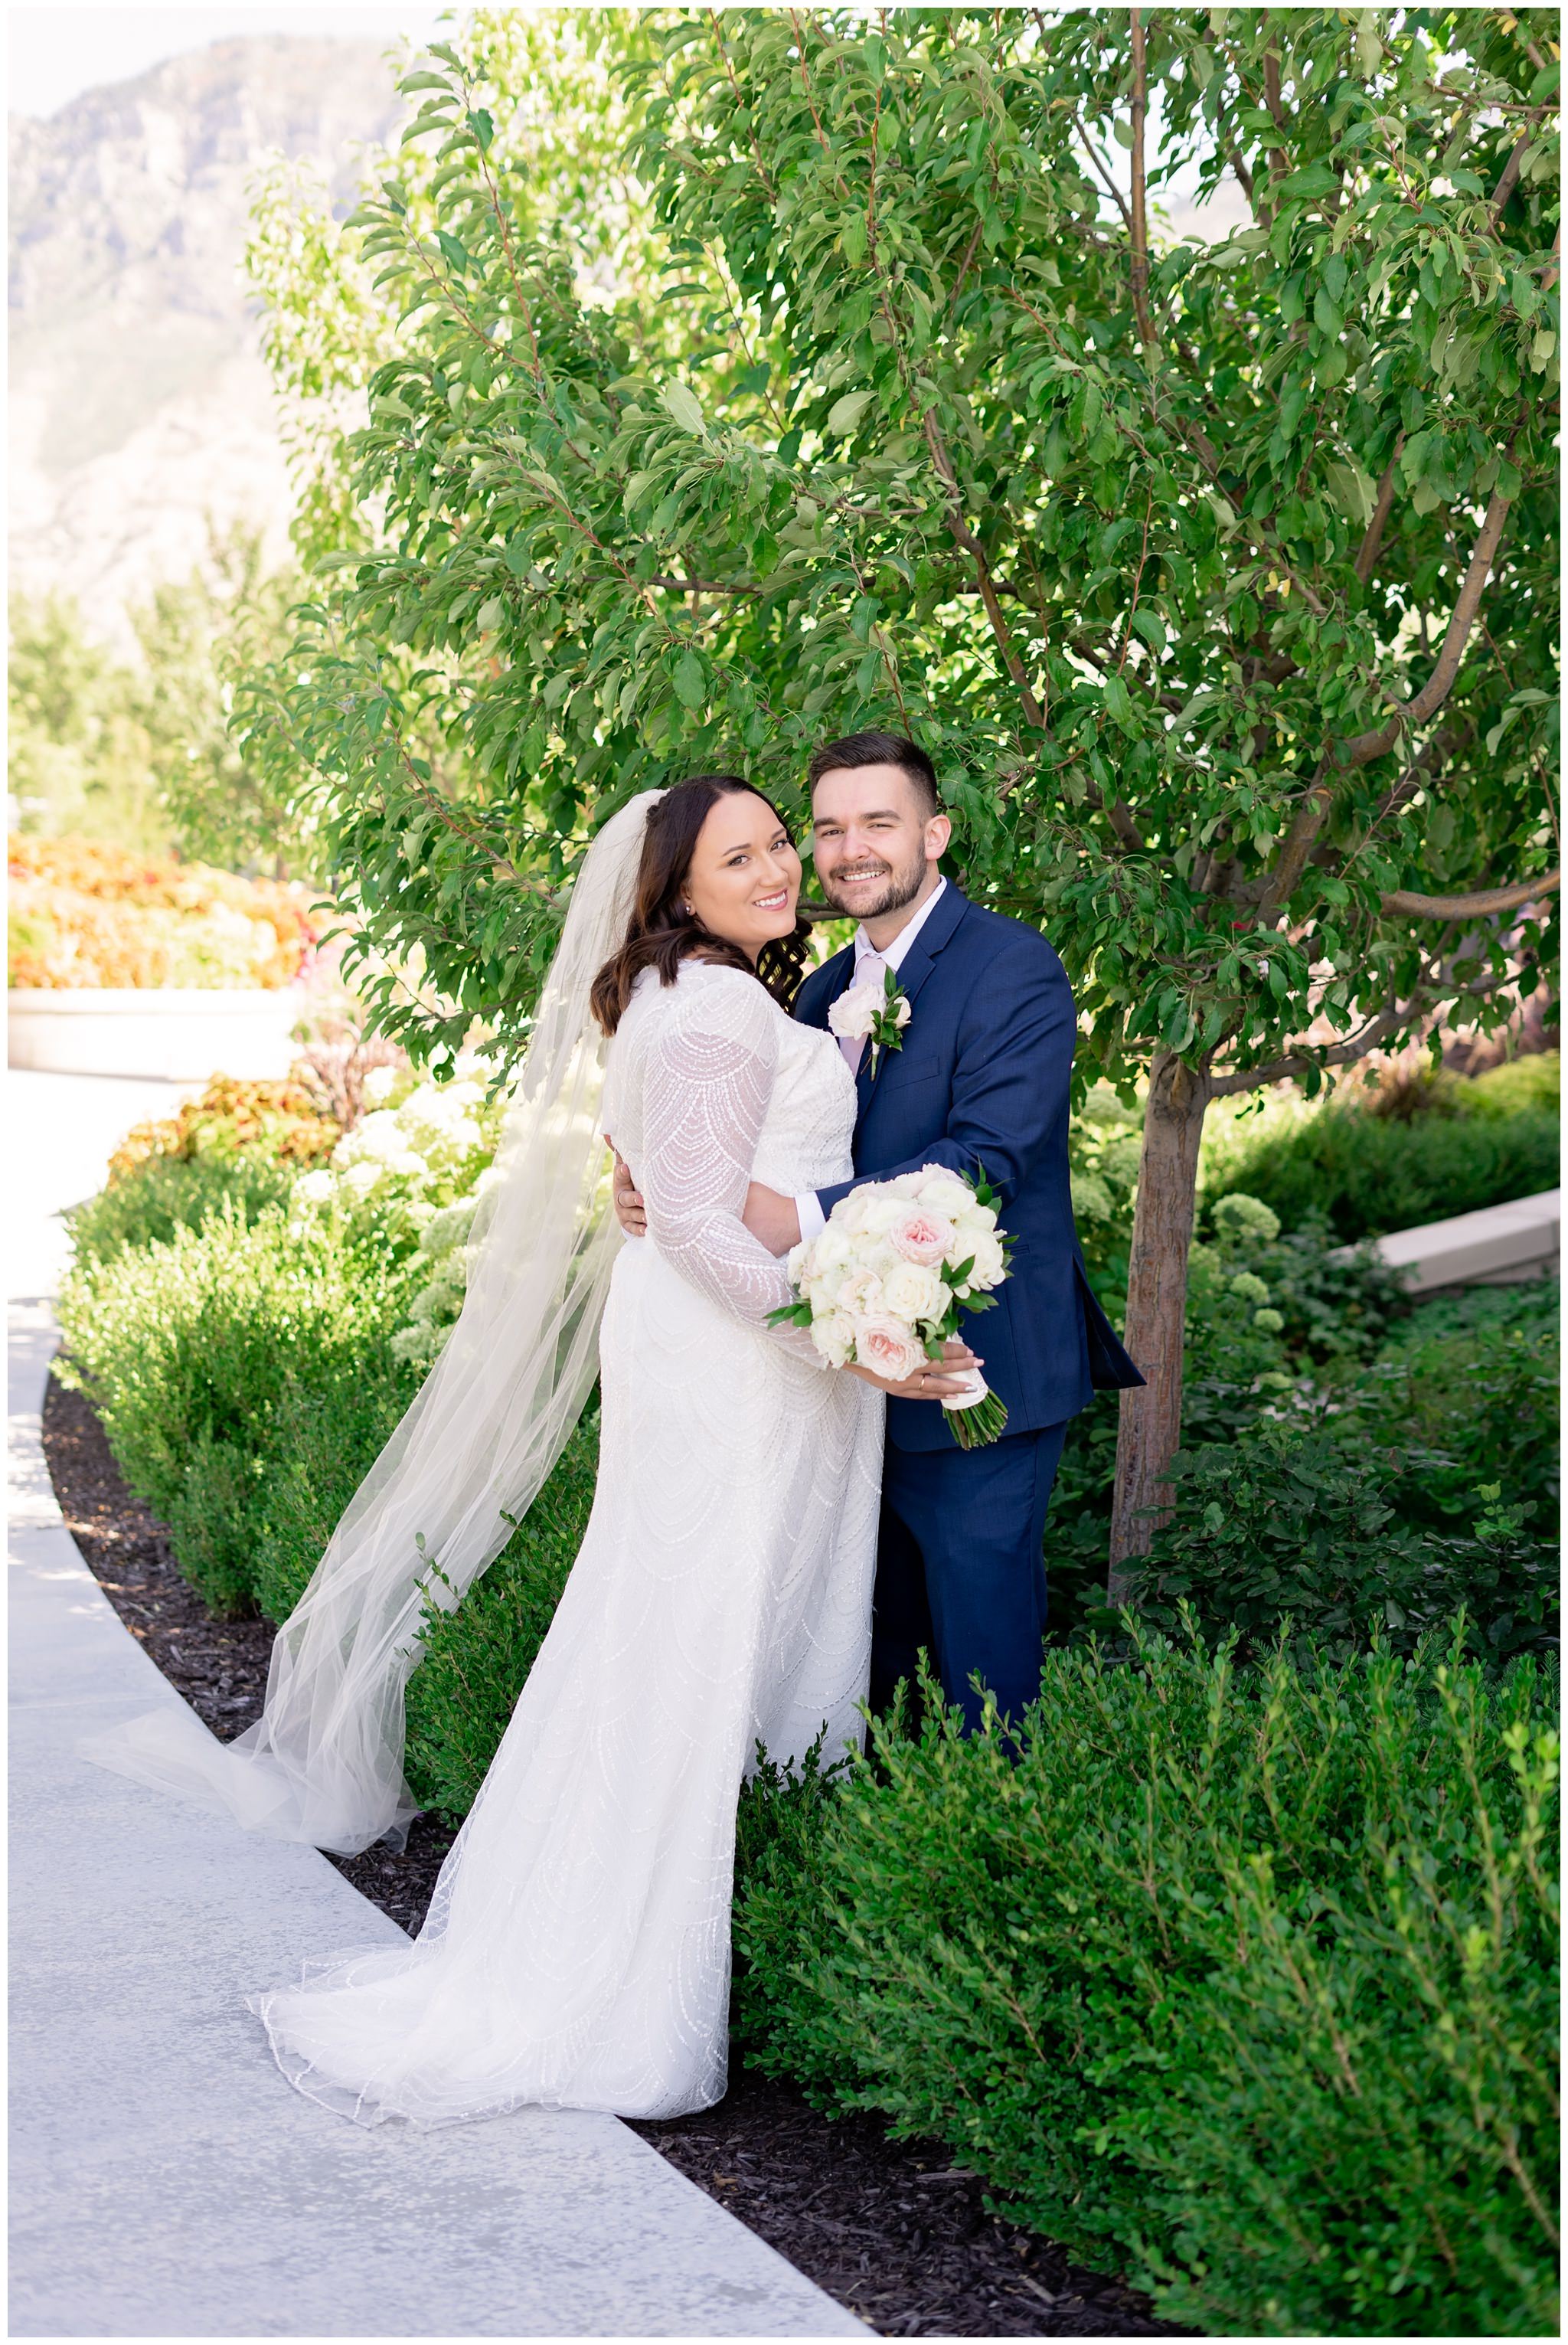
[983, 1082]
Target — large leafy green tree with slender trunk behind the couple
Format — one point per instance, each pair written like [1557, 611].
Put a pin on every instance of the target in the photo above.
[1220, 580]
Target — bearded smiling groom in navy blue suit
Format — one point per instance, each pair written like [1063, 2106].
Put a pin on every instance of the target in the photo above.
[979, 1085]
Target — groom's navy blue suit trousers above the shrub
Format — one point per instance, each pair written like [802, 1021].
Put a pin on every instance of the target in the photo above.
[962, 1568]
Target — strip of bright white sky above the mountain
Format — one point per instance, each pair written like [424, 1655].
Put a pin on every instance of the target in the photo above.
[57, 53]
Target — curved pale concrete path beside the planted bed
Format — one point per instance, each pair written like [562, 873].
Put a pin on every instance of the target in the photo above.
[165, 2182]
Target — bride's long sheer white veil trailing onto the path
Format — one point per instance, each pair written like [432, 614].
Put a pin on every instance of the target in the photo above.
[325, 1762]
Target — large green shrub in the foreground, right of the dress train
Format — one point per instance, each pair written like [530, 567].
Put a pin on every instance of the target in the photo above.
[1246, 1978]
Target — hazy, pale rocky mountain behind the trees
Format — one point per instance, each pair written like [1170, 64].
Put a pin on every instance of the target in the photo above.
[139, 402]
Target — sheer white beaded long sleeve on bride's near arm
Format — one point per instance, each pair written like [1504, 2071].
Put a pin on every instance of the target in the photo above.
[707, 1094]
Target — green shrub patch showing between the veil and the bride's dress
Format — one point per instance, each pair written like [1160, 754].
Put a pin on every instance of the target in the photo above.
[479, 1654]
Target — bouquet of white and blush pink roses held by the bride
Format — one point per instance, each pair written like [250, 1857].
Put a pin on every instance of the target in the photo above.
[887, 1277]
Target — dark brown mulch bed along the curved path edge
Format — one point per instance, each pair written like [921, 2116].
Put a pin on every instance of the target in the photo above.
[892, 2231]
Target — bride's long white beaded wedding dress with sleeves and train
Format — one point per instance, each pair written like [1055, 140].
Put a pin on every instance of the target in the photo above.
[578, 1945]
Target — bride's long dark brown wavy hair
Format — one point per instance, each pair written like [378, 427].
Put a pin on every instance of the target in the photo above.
[662, 934]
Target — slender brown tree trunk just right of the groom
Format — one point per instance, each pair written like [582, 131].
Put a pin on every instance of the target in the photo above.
[1157, 1307]
